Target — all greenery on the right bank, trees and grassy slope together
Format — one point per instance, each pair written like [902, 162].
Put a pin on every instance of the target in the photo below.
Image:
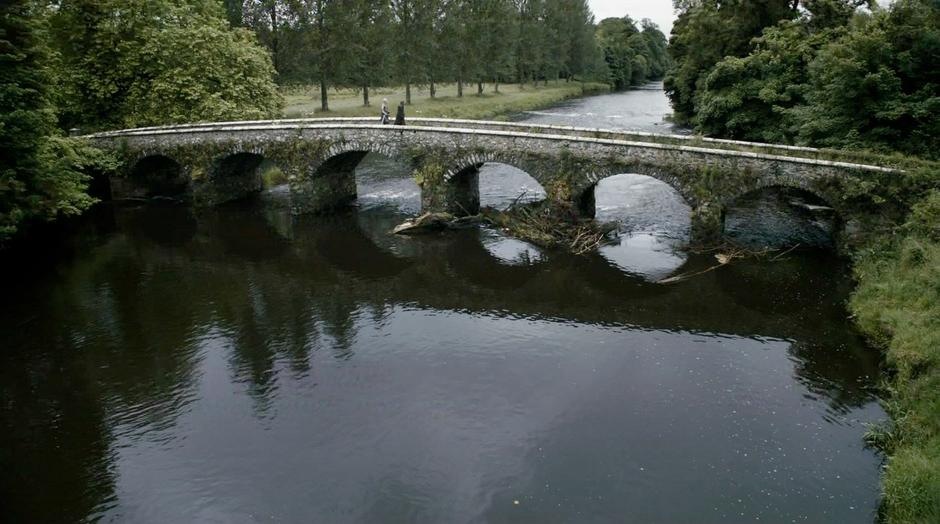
[845, 74]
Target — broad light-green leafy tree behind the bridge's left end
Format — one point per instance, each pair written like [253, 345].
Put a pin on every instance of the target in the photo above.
[139, 62]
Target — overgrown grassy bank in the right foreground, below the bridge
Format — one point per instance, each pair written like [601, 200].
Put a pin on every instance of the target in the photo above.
[897, 304]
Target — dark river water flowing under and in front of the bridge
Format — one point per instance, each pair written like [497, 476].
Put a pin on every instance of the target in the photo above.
[164, 364]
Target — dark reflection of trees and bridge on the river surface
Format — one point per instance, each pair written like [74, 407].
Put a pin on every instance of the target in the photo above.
[117, 346]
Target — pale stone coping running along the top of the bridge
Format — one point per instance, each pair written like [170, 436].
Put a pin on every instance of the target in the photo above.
[314, 124]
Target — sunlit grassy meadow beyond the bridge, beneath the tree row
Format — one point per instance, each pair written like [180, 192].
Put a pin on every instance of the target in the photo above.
[512, 98]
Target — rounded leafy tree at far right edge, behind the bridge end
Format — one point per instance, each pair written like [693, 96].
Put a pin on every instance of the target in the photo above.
[878, 87]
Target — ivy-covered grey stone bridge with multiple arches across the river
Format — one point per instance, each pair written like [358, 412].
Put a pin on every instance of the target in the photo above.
[214, 163]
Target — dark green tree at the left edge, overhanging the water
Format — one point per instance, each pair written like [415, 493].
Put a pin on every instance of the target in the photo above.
[42, 175]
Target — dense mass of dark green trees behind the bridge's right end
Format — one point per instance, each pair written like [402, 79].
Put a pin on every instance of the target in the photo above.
[831, 73]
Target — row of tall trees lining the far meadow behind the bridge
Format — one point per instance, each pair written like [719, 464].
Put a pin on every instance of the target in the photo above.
[368, 43]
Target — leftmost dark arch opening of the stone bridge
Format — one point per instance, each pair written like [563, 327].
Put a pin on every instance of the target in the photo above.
[152, 176]
